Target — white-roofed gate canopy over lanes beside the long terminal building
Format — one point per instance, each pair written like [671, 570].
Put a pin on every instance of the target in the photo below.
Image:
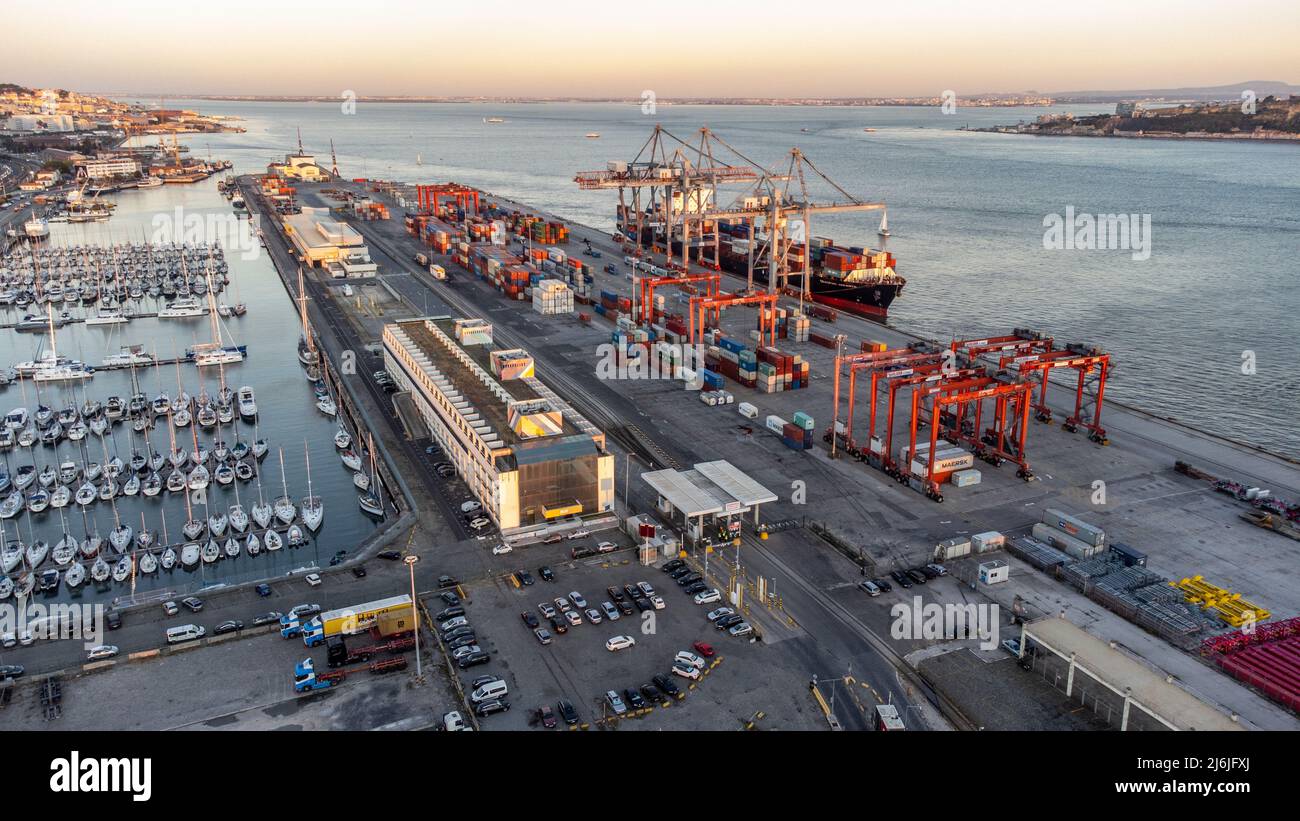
[709, 502]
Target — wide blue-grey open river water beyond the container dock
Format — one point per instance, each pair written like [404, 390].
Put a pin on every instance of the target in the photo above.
[967, 211]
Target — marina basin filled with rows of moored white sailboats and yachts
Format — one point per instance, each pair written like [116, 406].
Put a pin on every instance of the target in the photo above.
[148, 462]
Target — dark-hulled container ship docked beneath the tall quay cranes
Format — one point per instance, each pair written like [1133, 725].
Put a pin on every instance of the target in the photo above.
[856, 280]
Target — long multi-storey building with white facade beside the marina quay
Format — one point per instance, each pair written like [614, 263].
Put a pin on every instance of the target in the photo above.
[525, 453]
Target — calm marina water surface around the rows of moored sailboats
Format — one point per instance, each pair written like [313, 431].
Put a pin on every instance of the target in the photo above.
[288, 416]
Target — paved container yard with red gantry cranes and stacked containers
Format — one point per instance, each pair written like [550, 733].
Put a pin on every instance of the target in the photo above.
[772, 370]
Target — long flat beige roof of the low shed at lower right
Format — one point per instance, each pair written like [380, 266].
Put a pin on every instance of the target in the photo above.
[1119, 671]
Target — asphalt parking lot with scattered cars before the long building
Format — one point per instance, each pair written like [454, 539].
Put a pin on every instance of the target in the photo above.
[740, 679]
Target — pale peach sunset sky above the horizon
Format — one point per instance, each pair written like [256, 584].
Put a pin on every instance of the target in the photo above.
[671, 47]
